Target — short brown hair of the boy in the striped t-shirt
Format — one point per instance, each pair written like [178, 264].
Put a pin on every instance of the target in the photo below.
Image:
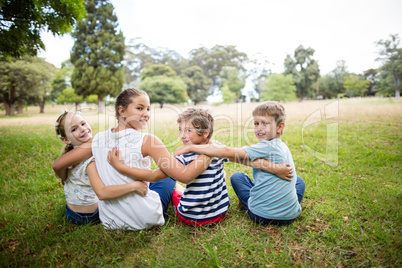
[200, 118]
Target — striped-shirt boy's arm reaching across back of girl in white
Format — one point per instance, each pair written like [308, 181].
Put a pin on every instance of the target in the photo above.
[115, 160]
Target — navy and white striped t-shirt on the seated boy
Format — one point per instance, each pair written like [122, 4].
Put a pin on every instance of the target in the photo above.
[206, 197]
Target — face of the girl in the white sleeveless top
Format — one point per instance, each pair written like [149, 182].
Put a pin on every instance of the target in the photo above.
[137, 112]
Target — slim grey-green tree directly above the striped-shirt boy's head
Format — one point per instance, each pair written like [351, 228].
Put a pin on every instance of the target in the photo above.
[197, 84]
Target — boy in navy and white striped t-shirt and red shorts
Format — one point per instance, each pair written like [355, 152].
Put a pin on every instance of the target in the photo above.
[205, 199]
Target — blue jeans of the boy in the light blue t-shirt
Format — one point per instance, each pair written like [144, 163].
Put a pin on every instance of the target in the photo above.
[242, 184]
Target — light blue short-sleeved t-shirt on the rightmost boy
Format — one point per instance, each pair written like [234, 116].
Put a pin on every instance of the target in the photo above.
[272, 197]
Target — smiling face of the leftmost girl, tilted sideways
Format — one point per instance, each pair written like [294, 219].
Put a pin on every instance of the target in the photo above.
[77, 129]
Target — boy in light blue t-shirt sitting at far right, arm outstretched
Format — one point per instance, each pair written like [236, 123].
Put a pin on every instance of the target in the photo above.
[267, 199]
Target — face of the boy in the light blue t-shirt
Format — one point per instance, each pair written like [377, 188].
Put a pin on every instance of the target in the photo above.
[265, 128]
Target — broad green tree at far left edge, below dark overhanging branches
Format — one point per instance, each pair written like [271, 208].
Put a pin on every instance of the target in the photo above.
[22, 80]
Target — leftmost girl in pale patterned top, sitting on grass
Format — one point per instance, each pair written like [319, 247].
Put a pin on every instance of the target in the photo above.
[81, 200]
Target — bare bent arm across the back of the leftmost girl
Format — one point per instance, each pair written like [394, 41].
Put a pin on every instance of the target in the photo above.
[73, 157]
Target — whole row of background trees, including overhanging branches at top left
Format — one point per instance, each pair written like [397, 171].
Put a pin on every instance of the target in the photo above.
[101, 65]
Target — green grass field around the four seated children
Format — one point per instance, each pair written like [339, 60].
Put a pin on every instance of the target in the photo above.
[348, 152]
